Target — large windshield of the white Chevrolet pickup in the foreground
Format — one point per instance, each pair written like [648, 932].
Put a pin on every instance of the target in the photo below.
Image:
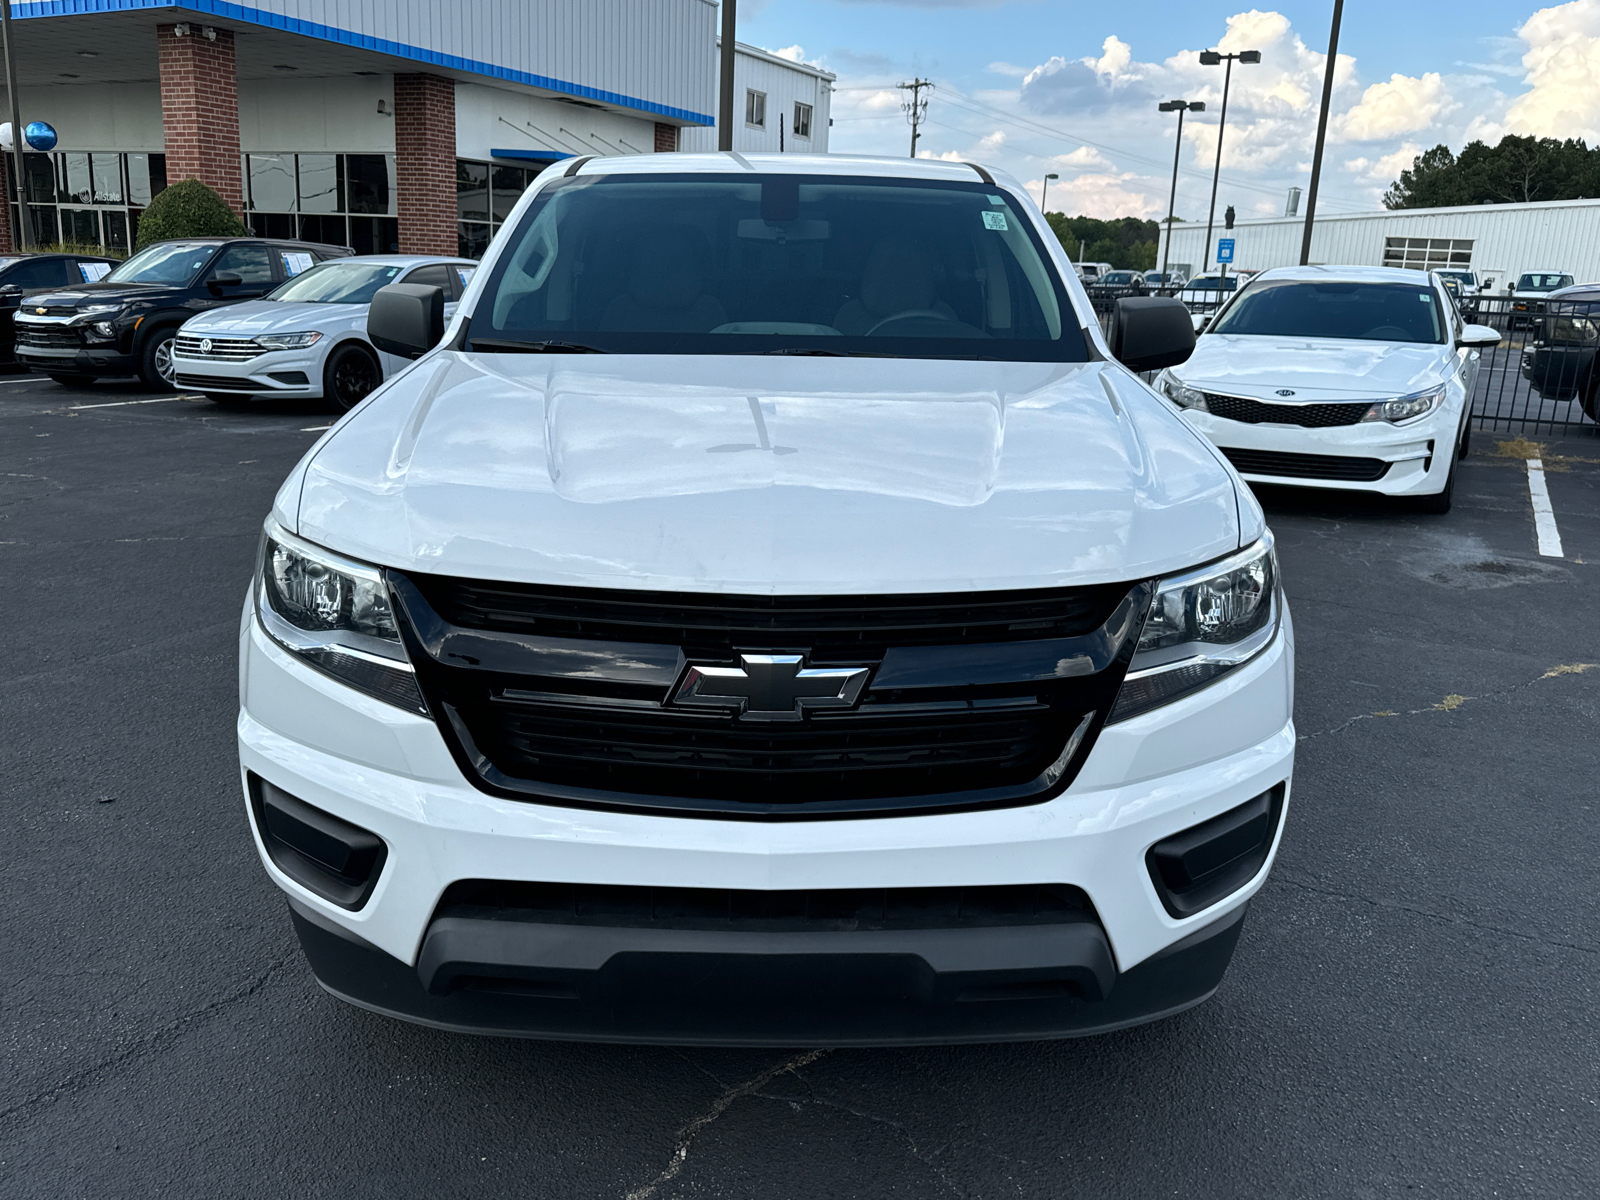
[777, 265]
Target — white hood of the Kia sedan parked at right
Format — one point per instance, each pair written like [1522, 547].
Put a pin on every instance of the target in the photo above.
[1313, 367]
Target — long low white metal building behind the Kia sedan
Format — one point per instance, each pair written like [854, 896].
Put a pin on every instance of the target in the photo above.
[1495, 241]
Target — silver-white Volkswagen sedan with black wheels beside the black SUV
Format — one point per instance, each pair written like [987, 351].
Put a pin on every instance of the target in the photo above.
[310, 337]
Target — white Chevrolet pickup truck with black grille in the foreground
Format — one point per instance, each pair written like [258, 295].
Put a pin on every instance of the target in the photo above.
[769, 617]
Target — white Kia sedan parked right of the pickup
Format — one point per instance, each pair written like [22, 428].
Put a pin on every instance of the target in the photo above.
[1337, 378]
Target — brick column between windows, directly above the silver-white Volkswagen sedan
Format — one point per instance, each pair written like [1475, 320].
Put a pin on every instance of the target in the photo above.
[426, 164]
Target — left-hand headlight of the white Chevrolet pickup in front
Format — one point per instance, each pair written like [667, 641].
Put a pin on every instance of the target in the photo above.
[335, 615]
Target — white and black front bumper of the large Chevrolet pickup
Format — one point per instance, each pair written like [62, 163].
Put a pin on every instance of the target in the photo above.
[391, 774]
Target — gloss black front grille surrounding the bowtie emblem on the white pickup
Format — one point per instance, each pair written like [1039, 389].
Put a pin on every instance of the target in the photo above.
[567, 695]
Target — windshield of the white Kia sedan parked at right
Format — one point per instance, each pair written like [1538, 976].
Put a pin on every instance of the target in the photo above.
[1383, 313]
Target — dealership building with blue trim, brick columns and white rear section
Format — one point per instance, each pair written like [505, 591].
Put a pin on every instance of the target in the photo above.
[388, 126]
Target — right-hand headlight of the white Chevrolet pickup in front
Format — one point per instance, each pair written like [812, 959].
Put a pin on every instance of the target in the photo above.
[1202, 625]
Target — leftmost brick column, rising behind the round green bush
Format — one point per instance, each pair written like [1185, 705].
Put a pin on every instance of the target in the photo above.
[201, 108]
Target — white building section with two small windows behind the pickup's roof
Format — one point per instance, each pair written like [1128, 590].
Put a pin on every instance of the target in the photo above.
[778, 106]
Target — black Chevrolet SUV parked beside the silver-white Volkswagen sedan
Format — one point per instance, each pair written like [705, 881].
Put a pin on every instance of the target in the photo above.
[126, 324]
